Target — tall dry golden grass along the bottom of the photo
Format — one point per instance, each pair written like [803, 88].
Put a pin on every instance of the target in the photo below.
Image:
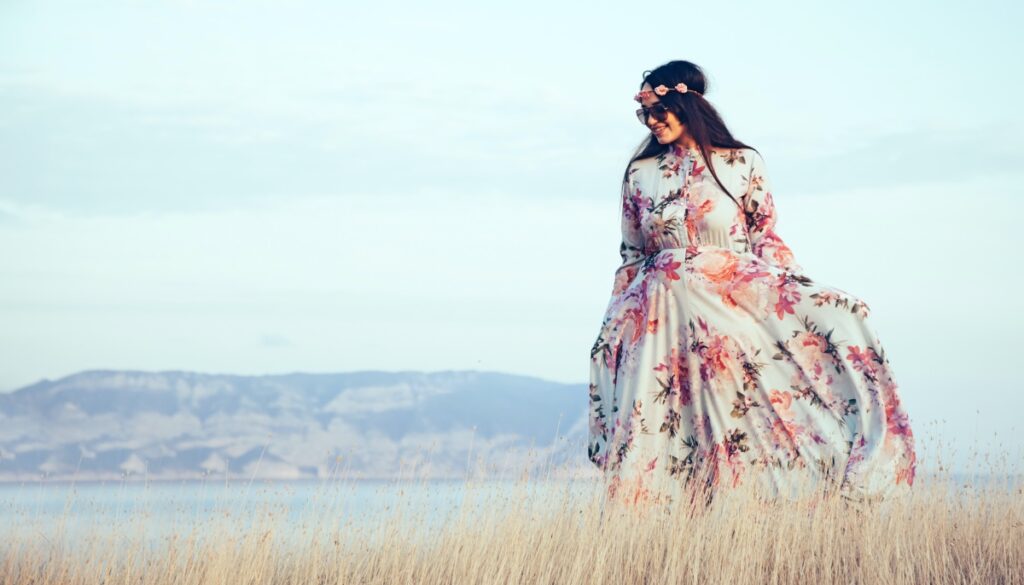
[540, 530]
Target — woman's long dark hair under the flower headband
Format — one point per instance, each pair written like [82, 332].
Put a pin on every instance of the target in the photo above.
[703, 121]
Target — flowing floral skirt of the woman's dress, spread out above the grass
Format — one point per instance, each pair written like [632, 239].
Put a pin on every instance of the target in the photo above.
[714, 364]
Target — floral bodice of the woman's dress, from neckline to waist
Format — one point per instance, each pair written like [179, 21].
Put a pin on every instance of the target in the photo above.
[678, 203]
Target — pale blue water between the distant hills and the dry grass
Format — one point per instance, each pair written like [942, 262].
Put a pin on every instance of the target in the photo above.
[154, 513]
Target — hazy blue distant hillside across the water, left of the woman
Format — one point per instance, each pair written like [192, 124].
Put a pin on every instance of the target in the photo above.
[174, 426]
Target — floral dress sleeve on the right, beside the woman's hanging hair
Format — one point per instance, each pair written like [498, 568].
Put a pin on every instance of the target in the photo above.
[759, 208]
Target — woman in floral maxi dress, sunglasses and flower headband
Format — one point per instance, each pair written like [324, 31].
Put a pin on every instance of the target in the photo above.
[718, 356]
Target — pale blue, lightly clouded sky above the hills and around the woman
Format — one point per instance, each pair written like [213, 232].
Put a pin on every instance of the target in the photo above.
[258, 188]
